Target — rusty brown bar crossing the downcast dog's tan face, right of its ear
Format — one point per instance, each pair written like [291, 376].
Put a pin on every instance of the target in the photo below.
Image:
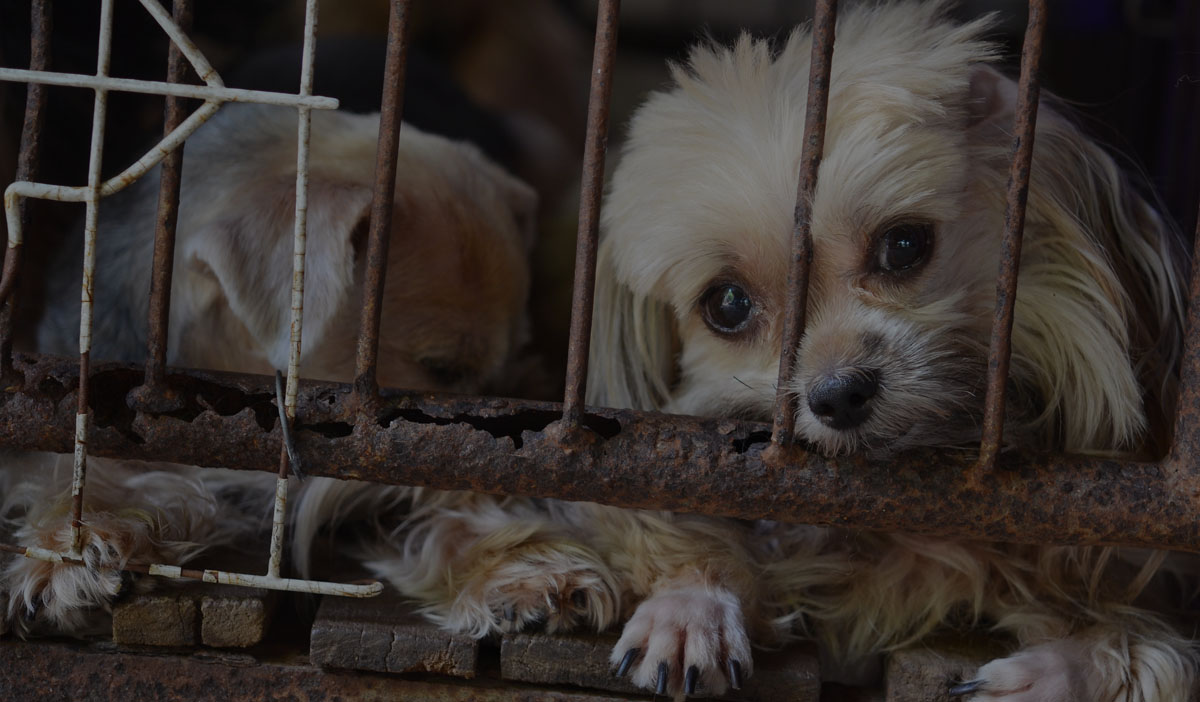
[392, 113]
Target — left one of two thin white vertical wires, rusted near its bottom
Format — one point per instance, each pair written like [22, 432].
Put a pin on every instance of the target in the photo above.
[100, 113]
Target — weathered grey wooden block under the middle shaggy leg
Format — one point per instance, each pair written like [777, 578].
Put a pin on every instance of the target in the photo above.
[385, 634]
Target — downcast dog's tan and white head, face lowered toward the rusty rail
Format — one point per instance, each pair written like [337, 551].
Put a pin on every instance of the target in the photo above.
[458, 268]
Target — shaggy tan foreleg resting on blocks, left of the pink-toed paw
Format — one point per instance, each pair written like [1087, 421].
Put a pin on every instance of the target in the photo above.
[478, 565]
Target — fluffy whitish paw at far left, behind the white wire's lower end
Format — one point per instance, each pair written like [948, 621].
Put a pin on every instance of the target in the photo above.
[64, 597]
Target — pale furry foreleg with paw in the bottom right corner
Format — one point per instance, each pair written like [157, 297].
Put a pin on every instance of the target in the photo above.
[1142, 662]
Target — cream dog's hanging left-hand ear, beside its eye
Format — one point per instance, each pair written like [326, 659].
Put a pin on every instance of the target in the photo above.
[632, 361]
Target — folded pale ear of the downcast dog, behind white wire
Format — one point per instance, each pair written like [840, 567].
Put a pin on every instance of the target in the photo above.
[248, 249]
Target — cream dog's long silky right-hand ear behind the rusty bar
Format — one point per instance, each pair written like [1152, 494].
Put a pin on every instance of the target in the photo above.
[1099, 274]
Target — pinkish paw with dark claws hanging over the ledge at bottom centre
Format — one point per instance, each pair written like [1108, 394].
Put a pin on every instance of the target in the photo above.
[687, 640]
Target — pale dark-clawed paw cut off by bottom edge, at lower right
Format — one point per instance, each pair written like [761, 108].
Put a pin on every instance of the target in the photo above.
[1051, 673]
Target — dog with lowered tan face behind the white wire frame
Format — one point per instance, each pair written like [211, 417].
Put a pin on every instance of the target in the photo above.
[454, 307]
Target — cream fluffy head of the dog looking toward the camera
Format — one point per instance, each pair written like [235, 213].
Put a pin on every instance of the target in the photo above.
[908, 220]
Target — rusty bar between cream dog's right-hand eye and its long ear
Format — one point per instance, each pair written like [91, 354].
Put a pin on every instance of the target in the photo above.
[1011, 248]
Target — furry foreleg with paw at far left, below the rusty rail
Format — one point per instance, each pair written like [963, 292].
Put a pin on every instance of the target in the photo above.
[130, 515]
